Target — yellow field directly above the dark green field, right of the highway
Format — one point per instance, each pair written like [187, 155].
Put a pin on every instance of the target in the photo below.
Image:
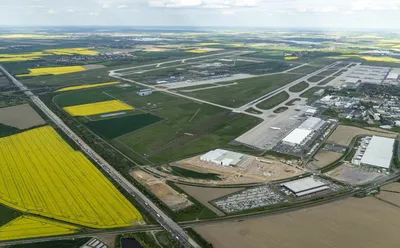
[97, 108]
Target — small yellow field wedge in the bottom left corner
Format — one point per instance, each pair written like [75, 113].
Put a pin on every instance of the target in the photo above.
[32, 227]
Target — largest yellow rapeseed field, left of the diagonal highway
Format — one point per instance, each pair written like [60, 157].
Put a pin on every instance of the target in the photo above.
[41, 174]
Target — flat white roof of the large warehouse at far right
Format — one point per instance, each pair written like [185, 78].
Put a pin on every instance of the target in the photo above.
[379, 152]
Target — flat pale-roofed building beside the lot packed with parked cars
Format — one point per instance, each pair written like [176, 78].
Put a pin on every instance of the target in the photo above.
[305, 186]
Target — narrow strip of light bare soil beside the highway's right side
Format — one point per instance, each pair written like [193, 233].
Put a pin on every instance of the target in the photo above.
[164, 192]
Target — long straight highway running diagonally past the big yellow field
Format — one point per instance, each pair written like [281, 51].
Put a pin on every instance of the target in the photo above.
[166, 222]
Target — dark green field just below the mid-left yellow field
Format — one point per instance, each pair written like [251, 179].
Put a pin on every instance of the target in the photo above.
[115, 127]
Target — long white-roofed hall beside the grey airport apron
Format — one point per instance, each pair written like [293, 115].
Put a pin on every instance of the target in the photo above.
[302, 133]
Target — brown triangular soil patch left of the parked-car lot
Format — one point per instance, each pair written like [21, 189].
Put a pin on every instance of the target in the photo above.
[205, 195]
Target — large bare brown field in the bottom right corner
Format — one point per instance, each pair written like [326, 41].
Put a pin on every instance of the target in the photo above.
[354, 222]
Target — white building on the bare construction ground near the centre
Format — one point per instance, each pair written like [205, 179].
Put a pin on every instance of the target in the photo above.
[223, 157]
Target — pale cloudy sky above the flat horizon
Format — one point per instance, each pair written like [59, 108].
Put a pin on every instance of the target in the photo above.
[366, 14]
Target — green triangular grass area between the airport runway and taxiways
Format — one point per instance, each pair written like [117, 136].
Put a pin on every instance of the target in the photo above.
[246, 89]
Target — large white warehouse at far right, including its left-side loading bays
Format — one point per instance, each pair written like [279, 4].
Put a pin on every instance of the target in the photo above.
[375, 152]
